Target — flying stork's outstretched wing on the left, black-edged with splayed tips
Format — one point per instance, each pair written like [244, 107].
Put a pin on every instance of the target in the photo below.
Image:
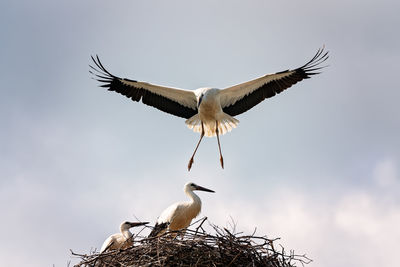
[178, 102]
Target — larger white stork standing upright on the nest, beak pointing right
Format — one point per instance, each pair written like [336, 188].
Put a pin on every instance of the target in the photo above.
[179, 215]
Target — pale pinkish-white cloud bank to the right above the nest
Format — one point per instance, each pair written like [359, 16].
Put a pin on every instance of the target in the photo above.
[352, 229]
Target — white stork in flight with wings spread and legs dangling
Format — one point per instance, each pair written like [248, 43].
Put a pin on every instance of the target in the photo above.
[209, 111]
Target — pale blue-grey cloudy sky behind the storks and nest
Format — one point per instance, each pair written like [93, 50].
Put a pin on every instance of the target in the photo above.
[317, 166]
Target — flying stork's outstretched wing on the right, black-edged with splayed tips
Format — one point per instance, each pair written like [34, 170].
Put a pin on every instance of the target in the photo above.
[242, 97]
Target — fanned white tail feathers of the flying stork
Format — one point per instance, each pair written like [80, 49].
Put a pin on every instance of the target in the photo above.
[225, 124]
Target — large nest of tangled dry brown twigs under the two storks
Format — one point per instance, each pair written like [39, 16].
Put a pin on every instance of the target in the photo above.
[197, 248]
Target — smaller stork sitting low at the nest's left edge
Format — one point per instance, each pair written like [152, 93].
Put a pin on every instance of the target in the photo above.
[121, 240]
